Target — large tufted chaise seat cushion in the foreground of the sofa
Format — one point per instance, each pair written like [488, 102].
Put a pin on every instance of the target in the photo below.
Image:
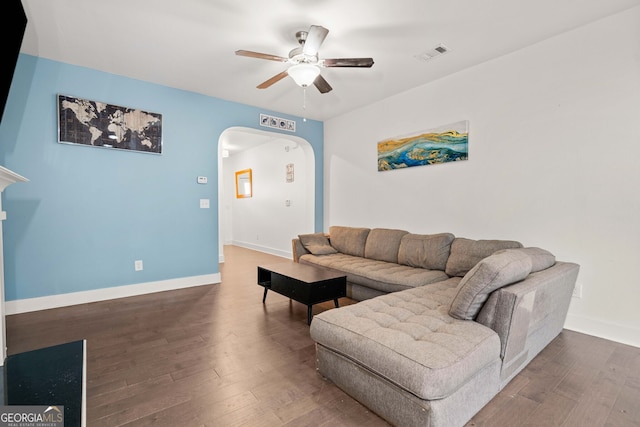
[409, 339]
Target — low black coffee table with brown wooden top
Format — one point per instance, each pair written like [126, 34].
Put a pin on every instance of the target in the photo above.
[303, 283]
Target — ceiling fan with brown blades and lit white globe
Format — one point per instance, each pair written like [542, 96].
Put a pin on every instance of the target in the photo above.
[305, 68]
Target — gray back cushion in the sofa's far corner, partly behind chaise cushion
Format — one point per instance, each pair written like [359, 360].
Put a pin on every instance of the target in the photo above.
[466, 253]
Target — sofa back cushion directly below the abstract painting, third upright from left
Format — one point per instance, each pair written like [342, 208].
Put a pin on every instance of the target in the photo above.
[429, 251]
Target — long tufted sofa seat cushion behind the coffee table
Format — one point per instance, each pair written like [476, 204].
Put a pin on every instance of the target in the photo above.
[380, 275]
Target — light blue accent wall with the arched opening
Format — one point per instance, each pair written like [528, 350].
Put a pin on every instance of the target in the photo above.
[87, 213]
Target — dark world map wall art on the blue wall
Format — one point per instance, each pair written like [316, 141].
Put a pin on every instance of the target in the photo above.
[98, 124]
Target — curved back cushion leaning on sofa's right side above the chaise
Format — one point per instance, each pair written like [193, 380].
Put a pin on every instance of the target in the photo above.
[491, 273]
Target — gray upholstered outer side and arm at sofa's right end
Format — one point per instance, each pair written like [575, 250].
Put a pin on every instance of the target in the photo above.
[529, 314]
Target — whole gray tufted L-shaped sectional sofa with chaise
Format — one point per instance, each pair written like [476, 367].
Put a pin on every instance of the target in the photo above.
[443, 323]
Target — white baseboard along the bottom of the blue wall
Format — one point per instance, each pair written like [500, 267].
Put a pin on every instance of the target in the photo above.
[104, 294]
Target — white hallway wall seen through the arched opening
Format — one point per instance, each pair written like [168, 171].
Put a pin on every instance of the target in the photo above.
[264, 222]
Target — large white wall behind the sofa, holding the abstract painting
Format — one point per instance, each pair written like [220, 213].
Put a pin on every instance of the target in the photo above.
[554, 144]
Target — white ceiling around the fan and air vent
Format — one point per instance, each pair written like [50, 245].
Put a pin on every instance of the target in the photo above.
[190, 44]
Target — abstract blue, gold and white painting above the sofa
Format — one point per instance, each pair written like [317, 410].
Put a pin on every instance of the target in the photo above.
[443, 144]
